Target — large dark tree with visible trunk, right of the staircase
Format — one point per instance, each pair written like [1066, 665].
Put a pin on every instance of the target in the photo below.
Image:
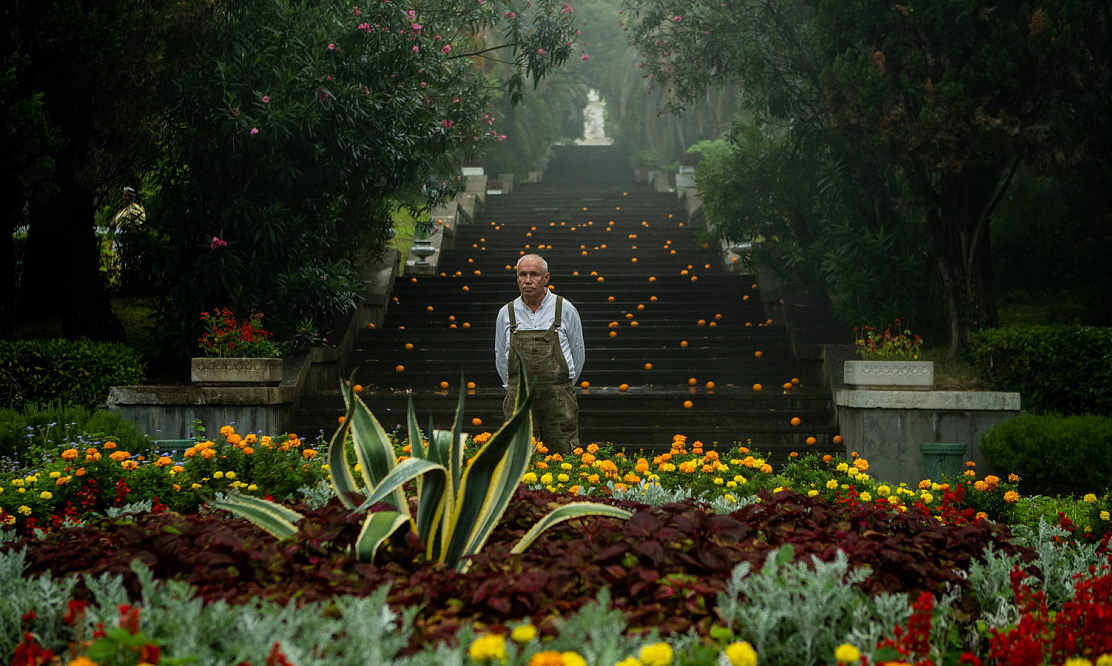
[944, 96]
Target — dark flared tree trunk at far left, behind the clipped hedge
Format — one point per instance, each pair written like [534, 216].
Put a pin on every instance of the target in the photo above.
[62, 274]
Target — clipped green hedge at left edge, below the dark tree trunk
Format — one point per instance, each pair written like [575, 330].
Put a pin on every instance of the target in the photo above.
[77, 373]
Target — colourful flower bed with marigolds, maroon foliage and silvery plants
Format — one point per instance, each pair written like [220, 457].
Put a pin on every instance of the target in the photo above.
[798, 566]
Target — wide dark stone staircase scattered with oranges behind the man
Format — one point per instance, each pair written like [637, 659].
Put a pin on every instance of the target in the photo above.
[660, 315]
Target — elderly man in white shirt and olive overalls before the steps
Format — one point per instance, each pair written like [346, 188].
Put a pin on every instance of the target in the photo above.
[545, 329]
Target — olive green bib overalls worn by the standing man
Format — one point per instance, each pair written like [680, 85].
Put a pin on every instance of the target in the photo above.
[555, 412]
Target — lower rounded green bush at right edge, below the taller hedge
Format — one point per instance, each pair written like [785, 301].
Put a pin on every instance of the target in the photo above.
[1054, 454]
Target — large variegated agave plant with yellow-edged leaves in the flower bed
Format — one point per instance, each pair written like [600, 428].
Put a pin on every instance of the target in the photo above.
[459, 505]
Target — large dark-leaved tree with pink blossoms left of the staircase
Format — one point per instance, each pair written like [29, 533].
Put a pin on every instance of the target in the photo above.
[299, 126]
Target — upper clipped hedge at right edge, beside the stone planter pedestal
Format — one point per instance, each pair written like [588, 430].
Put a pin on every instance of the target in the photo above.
[1059, 369]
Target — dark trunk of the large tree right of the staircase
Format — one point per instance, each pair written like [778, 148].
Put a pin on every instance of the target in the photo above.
[959, 208]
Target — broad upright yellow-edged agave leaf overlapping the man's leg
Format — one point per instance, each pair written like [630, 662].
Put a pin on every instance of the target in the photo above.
[490, 483]
